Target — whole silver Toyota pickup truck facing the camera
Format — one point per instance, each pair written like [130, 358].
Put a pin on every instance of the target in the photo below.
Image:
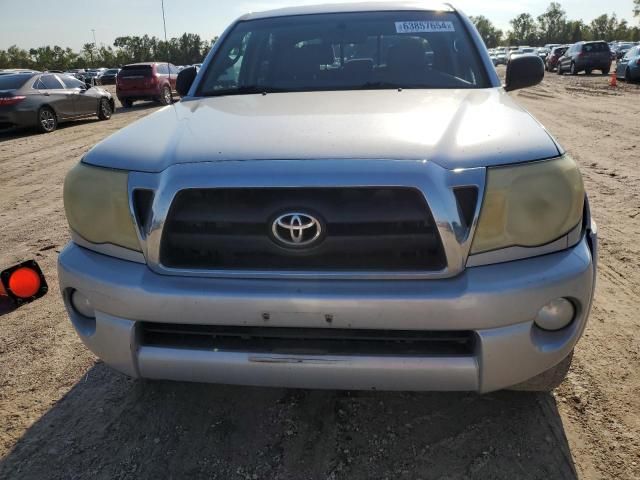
[345, 197]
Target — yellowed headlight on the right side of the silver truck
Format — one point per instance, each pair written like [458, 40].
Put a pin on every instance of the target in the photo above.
[529, 205]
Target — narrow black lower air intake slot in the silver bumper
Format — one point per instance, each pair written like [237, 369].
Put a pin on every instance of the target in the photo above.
[307, 341]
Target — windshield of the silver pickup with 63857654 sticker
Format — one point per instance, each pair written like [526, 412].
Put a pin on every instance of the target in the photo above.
[345, 52]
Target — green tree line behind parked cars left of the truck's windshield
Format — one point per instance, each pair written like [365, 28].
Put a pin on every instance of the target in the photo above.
[187, 49]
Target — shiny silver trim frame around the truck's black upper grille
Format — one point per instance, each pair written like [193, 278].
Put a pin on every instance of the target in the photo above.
[436, 183]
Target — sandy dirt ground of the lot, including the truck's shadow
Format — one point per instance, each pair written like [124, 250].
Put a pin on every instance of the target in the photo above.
[64, 415]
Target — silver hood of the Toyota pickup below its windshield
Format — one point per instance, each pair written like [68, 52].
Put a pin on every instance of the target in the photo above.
[454, 128]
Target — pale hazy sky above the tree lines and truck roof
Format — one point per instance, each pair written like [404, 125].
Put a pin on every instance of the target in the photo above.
[69, 23]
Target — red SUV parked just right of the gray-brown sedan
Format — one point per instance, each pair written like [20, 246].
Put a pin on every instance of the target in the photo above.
[146, 81]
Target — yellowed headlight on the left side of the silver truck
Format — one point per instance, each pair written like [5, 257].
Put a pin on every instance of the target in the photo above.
[97, 206]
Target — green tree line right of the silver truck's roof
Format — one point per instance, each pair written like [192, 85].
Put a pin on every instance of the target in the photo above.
[553, 26]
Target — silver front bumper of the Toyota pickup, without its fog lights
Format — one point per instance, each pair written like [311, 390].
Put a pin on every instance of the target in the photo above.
[497, 302]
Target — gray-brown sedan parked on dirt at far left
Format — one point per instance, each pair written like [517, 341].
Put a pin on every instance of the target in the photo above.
[45, 100]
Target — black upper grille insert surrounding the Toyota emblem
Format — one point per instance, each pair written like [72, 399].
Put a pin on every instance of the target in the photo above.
[364, 229]
